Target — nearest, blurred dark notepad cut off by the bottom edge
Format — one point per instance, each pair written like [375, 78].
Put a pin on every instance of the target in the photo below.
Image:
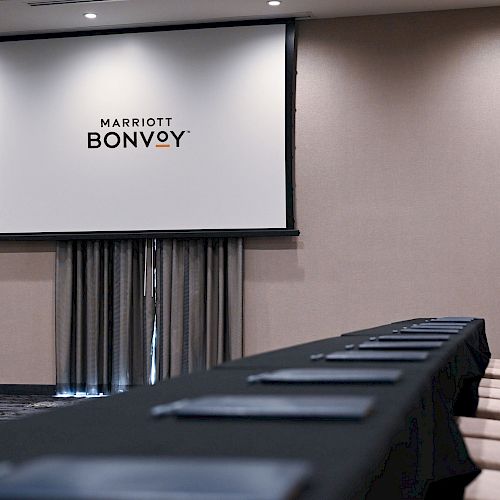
[120, 478]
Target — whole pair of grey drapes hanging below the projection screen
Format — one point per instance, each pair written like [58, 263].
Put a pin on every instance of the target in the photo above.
[132, 312]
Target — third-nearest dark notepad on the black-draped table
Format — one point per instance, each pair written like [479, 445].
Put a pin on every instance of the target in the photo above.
[327, 376]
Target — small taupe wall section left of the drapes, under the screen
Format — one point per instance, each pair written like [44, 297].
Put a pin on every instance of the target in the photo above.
[27, 352]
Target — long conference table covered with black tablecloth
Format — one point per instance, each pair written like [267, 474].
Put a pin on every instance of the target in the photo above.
[408, 447]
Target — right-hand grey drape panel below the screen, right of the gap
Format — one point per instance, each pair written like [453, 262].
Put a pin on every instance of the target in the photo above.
[200, 304]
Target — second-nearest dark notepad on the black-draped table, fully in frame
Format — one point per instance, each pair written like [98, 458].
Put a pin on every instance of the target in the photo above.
[267, 406]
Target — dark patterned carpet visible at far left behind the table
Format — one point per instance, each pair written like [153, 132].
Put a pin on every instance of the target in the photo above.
[19, 406]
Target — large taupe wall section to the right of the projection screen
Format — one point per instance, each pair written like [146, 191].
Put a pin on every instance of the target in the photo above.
[397, 180]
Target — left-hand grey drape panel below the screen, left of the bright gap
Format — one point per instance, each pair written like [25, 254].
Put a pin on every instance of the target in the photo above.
[103, 317]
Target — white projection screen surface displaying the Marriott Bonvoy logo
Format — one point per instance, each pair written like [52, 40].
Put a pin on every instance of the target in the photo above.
[148, 131]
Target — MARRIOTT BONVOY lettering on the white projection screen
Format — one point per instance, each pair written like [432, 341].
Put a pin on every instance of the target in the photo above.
[136, 133]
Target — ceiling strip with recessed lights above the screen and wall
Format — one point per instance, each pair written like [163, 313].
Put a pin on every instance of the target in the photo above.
[18, 16]
